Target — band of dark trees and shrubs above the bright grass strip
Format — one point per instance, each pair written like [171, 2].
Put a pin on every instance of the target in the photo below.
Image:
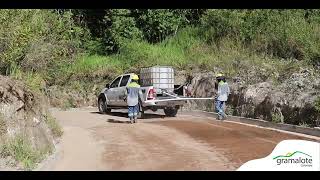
[51, 37]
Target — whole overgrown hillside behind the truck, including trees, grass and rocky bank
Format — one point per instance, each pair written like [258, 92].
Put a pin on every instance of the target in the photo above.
[69, 55]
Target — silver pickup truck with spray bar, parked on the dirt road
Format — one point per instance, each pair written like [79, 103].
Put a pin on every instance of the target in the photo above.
[170, 100]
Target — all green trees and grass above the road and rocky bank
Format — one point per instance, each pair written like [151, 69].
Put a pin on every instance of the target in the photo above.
[48, 47]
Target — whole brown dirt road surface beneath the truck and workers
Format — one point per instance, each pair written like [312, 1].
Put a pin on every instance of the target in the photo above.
[93, 141]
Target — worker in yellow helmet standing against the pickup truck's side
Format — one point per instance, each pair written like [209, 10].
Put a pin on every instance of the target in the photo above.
[133, 93]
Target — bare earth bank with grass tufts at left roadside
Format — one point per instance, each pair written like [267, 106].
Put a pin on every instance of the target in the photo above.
[28, 132]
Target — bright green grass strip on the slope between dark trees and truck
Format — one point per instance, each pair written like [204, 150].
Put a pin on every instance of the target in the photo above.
[183, 51]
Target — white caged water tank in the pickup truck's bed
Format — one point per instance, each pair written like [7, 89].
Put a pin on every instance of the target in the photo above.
[160, 77]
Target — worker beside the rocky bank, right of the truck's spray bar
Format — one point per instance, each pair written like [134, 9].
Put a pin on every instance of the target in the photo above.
[223, 92]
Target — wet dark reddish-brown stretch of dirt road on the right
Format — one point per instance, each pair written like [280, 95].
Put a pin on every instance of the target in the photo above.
[239, 143]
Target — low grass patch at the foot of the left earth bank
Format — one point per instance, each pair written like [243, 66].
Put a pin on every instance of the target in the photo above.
[21, 150]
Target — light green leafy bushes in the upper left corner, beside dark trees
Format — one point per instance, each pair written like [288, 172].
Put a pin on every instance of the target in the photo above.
[37, 40]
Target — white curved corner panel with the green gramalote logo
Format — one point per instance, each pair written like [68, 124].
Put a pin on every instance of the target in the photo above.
[288, 155]
